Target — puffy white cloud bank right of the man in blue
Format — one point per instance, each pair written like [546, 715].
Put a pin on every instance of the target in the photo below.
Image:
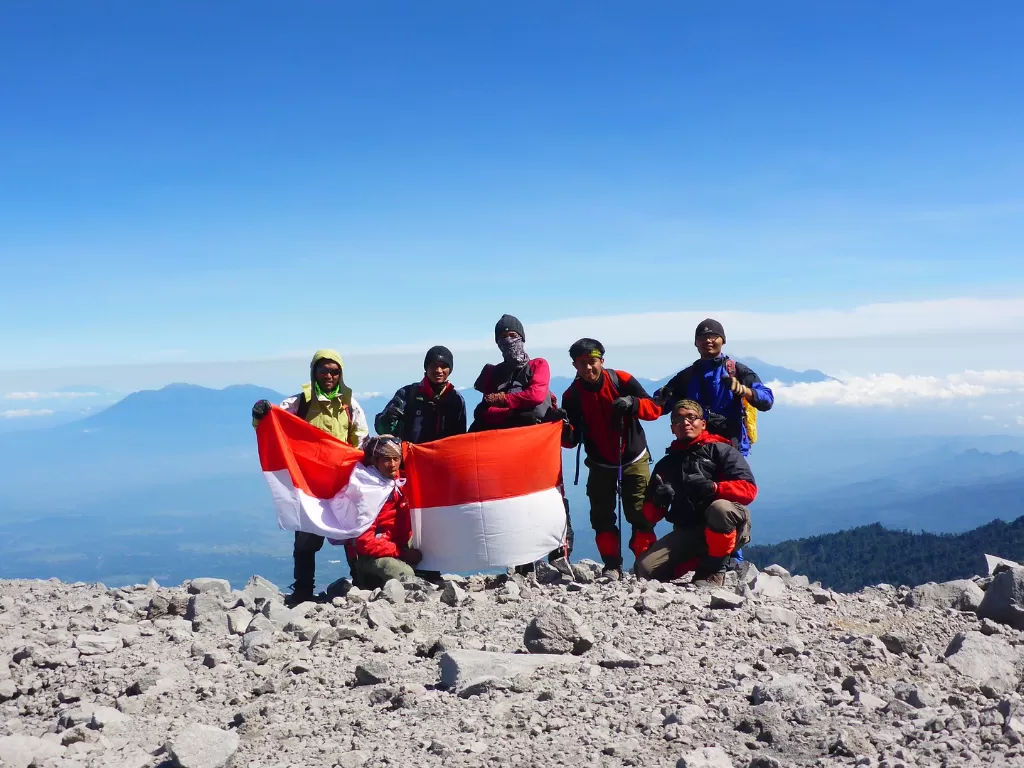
[892, 390]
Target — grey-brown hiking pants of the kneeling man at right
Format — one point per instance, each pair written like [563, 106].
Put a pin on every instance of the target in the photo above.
[684, 549]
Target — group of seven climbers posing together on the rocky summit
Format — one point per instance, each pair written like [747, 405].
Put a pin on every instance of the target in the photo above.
[702, 486]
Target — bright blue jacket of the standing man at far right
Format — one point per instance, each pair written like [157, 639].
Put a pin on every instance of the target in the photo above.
[703, 382]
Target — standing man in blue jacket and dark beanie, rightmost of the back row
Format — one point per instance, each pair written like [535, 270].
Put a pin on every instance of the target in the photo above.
[720, 385]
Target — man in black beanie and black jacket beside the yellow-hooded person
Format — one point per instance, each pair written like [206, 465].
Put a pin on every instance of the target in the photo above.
[428, 410]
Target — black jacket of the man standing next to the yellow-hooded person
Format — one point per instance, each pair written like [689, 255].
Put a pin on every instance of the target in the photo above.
[425, 417]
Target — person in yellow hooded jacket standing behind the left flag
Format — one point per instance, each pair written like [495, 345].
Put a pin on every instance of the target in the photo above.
[327, 404]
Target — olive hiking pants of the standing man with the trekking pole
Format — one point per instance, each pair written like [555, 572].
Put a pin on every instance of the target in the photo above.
[602, 492]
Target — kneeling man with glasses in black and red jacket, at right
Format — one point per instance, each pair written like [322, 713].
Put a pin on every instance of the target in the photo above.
[702, 487]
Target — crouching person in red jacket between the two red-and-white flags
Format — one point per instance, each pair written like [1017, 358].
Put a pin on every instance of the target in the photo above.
[383, 551]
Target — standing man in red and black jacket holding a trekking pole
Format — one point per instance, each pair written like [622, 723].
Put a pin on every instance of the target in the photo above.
[605, 408]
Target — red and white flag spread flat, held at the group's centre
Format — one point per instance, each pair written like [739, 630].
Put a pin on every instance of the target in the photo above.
[487, 500]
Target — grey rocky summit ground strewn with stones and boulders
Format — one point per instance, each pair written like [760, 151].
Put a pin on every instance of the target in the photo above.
[543, 671]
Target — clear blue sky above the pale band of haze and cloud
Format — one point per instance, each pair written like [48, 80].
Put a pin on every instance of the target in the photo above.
[197, 183]
